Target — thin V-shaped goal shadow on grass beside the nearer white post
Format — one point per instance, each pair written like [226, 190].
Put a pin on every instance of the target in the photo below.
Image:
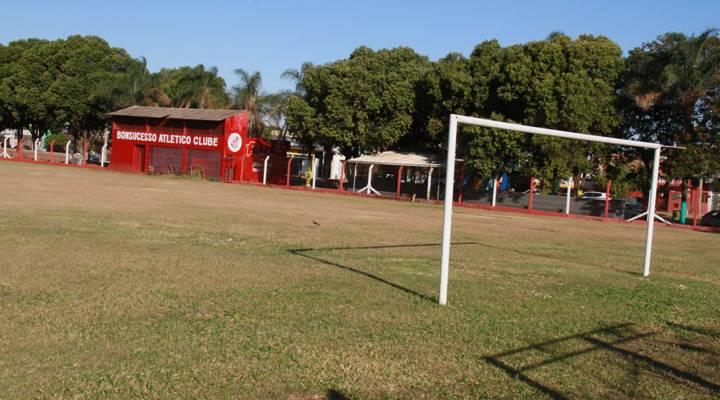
[304, 253]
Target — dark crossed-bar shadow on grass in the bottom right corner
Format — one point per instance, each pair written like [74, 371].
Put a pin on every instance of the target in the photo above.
[593, 344]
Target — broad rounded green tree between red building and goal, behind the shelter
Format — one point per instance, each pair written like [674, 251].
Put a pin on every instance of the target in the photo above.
[366, 102]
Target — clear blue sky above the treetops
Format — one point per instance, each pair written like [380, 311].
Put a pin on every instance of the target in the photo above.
[272, 36]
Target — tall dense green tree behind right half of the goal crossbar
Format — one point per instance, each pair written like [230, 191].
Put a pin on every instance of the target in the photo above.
[575, 82]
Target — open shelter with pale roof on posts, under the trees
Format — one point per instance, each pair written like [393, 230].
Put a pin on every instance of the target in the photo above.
[403, 161]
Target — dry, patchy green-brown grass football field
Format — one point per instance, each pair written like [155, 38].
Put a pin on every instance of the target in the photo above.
[128, 286]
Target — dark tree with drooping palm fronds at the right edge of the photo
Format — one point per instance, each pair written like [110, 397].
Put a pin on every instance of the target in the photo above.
[670, 95]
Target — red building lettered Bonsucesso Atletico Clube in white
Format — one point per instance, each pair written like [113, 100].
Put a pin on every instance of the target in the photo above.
[212, 143]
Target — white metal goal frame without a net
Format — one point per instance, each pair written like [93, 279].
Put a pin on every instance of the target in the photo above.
[450, 181]
